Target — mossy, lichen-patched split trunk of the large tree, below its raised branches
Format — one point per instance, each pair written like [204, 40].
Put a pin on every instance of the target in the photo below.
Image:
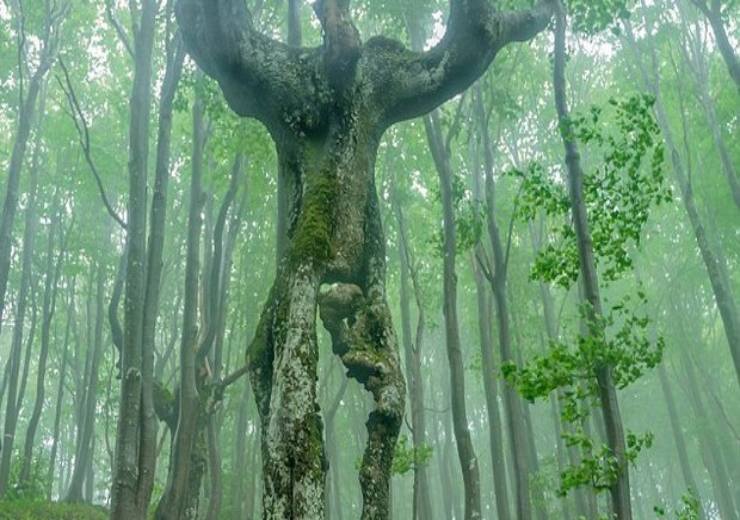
[336, 241]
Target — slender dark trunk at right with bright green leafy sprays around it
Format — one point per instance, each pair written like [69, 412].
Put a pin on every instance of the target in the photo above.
[620, 488]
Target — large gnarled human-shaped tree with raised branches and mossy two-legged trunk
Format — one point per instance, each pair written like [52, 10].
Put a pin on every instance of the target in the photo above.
[326, 109]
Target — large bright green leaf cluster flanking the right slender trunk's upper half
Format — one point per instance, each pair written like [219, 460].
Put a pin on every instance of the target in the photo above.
[619, 193]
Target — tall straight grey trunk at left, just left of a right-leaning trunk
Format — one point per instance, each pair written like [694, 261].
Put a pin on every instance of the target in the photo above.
[136, 433]
